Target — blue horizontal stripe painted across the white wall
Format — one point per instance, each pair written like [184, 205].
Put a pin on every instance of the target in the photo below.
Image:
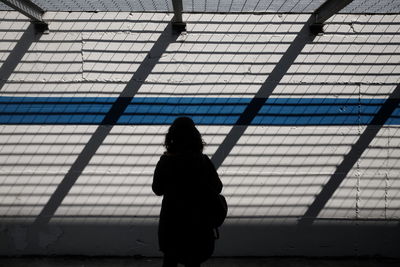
[208, 111]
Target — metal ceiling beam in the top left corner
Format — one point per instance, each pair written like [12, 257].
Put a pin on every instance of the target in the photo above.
[29, 9]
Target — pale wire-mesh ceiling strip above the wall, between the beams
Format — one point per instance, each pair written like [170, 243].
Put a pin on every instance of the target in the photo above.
[205, 6]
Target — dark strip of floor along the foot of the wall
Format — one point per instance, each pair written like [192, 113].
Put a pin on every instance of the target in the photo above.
[215, 262]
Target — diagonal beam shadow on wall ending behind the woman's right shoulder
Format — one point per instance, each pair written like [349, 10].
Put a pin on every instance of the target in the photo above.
[303, 37]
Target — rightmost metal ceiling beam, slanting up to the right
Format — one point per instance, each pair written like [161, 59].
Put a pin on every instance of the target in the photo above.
[325, 11]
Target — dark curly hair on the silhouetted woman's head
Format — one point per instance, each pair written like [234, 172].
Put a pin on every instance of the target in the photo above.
[183, 136]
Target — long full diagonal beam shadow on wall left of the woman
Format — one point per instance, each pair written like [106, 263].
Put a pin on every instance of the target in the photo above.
[167, 37]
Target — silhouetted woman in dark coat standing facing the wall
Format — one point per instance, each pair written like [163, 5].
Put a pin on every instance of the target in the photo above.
[183, 177]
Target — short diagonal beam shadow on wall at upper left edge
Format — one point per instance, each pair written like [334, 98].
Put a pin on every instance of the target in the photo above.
[28, 37]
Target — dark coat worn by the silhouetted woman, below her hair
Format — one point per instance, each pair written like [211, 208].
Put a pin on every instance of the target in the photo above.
[185, 180]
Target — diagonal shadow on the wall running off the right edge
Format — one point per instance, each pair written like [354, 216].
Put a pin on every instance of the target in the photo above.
[391, 103]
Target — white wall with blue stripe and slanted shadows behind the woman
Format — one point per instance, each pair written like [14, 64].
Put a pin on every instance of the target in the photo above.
[304, 131]
